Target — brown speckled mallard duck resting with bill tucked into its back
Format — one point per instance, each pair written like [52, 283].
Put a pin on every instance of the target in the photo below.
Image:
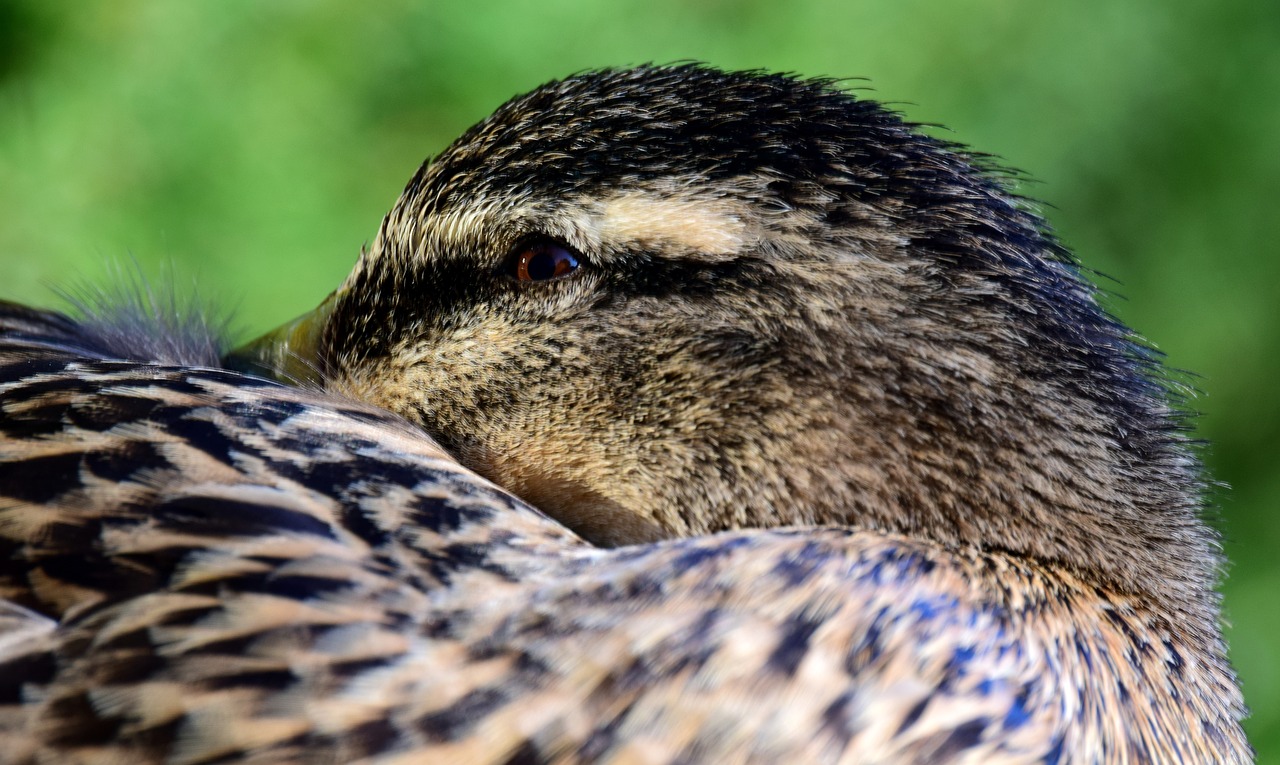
[674, 416]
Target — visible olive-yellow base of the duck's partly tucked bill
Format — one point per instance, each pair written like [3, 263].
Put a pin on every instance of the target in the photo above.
[290, 354]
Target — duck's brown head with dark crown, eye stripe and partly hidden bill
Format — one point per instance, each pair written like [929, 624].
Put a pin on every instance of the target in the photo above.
[673, 301]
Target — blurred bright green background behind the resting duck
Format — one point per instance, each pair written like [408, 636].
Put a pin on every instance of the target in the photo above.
[257, 146]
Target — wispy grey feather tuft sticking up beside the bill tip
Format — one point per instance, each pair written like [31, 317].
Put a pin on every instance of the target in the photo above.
[149, 320]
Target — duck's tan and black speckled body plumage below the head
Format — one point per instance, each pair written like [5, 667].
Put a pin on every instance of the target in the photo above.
[203, 565]
